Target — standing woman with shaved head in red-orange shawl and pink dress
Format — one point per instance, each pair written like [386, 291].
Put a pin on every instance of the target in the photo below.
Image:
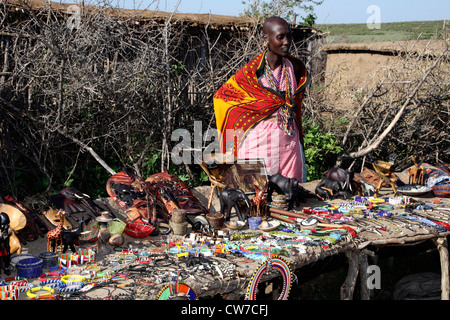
[258, 110]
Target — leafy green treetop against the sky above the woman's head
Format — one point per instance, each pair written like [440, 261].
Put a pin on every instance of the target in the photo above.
[286, 9]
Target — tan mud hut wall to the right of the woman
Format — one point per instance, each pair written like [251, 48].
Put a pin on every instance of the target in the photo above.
[352, 68]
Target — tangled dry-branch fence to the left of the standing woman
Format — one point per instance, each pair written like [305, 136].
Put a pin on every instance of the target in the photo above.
[113, 85]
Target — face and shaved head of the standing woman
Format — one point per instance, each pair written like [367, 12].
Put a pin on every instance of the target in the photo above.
[279, 37]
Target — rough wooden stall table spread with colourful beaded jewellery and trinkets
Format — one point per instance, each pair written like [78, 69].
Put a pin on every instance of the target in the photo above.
[198, 266]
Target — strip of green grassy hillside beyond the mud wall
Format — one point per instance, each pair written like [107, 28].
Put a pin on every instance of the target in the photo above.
[394, 31]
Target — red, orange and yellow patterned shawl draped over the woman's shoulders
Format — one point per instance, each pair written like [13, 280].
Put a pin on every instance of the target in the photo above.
[242, 102]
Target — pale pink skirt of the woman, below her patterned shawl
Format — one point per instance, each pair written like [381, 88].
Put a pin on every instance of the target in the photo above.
[281, 153]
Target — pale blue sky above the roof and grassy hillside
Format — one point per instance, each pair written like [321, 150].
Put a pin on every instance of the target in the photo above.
[331, 11]
